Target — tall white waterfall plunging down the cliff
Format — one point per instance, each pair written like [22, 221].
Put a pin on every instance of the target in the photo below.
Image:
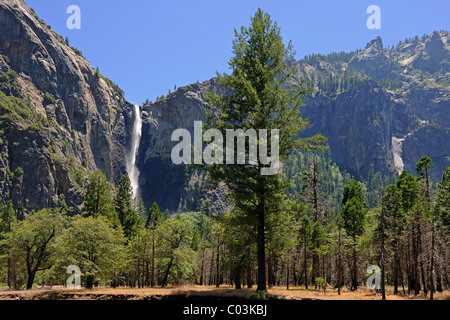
[133, 171]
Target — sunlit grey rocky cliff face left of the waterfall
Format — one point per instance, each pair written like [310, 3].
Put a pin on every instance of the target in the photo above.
[82, 116]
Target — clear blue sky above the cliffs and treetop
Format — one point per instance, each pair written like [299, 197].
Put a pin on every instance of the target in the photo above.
[147, 47]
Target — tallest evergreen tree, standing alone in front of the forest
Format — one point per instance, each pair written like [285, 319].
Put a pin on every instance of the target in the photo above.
[257, 99]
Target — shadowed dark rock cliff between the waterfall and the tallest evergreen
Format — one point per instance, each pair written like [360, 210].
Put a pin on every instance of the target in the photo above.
[175, 187]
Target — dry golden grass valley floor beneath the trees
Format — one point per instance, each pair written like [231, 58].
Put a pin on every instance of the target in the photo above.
[201, 293]
